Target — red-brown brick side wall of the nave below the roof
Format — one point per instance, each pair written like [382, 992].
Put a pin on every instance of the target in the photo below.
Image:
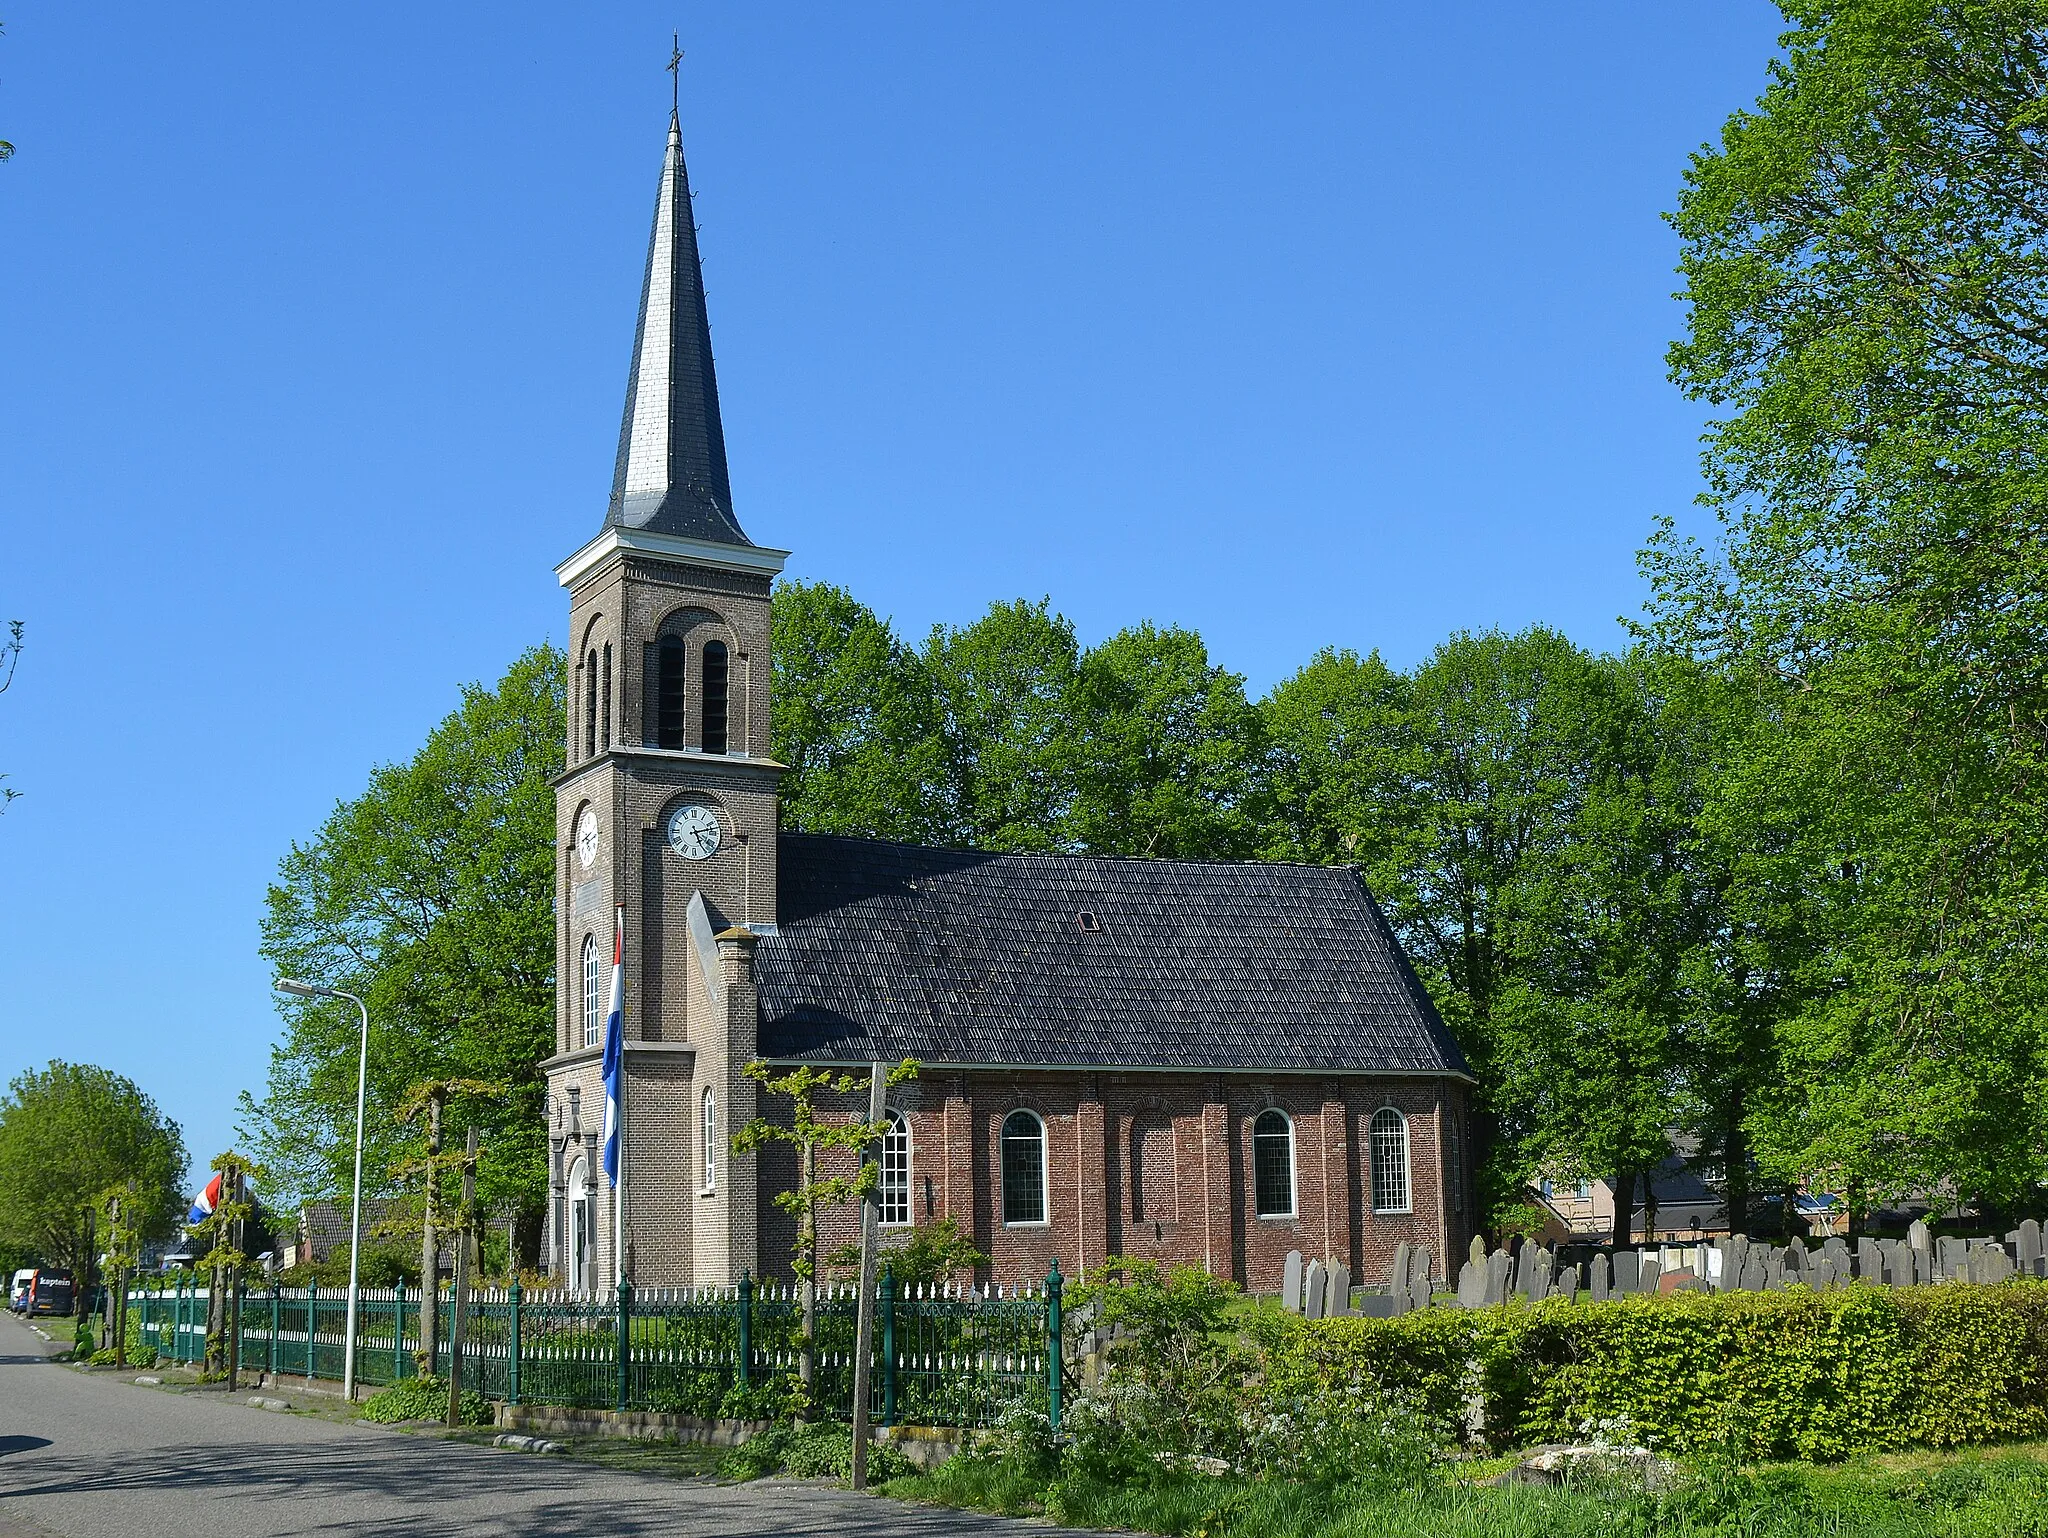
[1105, 1201]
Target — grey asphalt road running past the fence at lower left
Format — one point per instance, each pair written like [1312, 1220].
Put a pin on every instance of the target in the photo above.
[99, 1457]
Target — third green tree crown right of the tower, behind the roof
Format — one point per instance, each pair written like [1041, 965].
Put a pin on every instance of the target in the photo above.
[1166, 751]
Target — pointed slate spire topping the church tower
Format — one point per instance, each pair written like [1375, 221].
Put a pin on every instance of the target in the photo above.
[671, 474]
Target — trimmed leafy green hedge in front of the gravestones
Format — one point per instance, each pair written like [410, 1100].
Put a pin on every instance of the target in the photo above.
[1770, 1375]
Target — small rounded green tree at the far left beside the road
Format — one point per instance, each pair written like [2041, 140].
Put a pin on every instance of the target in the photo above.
[67, 1136]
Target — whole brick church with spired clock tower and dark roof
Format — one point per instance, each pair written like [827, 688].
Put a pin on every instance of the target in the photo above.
[1207, 1064]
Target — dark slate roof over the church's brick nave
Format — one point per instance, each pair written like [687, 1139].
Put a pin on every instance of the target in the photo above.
[890, 951]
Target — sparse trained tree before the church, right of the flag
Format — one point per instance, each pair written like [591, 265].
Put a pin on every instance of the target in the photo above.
[814, 1138]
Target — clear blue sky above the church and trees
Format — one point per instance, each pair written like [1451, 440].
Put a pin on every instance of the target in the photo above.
[1304, 327]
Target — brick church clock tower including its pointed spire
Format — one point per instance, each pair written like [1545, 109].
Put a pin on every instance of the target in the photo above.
[665, 816]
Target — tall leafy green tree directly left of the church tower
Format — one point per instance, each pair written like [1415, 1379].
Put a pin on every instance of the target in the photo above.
[431, 898]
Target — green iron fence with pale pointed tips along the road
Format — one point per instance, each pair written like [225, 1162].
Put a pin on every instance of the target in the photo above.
[943, 1355]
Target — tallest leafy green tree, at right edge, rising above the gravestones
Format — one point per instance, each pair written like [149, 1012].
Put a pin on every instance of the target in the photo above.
[1867, 269]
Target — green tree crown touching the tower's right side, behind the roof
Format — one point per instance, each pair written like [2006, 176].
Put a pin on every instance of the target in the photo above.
[853, 720]
